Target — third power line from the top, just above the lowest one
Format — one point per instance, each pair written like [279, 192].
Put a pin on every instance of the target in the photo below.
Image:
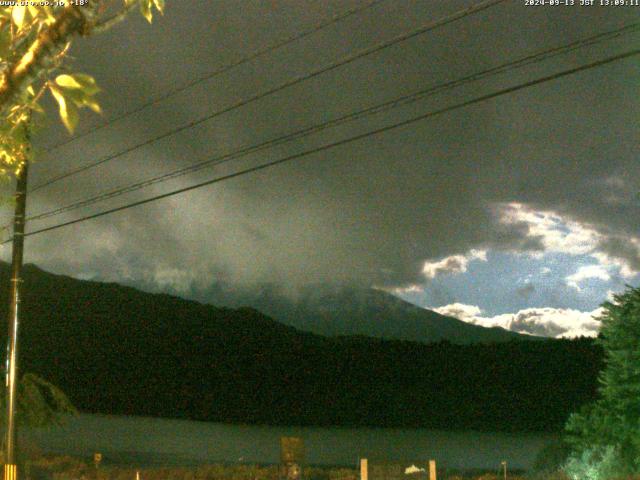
[383, 107]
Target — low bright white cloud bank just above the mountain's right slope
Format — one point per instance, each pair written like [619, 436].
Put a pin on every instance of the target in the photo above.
[545, 322]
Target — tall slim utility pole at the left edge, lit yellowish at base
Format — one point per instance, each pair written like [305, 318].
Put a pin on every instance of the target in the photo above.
[10, 468]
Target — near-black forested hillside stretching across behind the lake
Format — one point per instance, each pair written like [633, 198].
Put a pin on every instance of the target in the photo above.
[118, 350]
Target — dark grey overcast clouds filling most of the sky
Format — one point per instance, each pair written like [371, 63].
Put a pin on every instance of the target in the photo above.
[372, 212]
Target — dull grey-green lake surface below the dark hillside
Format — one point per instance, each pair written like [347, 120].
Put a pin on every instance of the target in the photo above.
[141, 441]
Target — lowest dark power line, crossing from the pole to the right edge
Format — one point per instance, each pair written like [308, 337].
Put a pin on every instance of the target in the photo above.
[329, 146]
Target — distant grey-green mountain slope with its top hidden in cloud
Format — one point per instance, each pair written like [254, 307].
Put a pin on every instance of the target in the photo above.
[362, 311]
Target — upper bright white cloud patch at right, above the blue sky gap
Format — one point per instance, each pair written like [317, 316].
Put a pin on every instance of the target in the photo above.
[561, 235]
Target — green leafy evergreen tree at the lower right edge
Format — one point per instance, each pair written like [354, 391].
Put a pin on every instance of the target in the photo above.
[612, 423]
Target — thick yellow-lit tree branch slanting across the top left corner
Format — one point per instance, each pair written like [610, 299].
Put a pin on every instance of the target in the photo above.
[73, 20]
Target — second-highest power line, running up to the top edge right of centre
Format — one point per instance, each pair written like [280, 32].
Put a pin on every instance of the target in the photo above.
[483, 5]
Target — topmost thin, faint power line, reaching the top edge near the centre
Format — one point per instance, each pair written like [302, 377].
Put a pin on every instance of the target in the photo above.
[222, 69]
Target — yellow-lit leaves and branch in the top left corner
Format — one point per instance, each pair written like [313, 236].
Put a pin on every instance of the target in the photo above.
[35, 39]
